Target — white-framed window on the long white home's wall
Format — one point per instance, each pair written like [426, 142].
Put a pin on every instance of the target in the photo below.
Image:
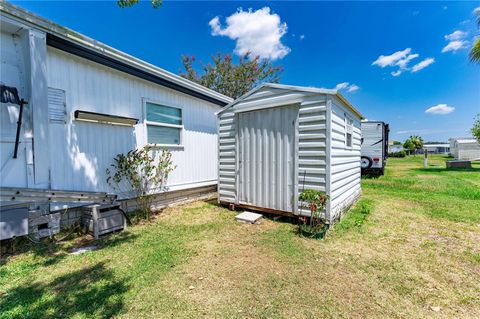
[164, 124]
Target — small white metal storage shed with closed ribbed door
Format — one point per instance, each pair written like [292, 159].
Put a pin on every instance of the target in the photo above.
[278, 140]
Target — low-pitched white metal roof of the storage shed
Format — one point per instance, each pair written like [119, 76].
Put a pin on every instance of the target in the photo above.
[298, 89]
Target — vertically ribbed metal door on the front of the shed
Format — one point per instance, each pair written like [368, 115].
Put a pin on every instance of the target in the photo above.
[266, 158]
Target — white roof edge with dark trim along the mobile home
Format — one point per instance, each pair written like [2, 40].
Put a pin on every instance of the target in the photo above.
[76, 43]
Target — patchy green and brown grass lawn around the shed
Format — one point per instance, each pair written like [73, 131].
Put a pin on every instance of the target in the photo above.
[409, 249]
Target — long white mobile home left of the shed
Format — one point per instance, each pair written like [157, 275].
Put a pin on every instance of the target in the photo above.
[87, 102]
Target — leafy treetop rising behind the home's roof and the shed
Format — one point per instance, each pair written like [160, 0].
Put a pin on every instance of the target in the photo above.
[230, 78]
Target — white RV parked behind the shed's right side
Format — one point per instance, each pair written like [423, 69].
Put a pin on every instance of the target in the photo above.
[374, 147]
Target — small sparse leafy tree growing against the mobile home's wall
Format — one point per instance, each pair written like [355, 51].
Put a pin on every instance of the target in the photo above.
[142, 174]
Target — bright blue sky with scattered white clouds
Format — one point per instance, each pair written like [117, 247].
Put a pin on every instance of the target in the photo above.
[321, 44]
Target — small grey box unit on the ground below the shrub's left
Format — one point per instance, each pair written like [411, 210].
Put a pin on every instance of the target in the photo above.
[103, 219]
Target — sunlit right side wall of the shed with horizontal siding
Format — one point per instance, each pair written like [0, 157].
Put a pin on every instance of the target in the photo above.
[344, 161]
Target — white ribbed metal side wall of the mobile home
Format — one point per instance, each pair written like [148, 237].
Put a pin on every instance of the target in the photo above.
[83, 150]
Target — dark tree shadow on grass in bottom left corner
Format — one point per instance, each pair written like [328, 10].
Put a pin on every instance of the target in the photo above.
[93, 291]
